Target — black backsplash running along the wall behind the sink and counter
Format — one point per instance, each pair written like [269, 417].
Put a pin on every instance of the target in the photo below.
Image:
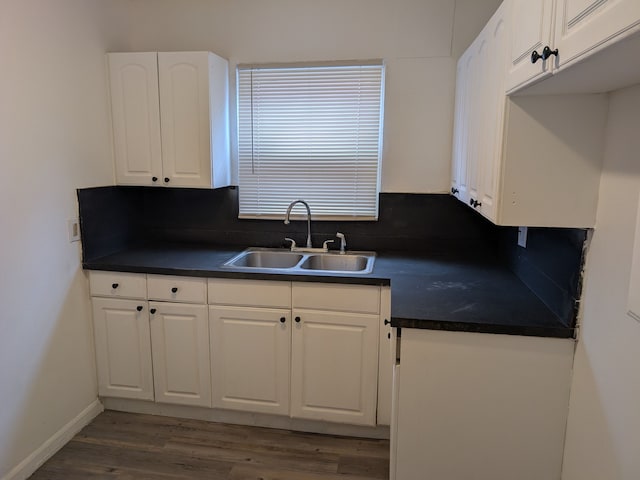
[115, 218]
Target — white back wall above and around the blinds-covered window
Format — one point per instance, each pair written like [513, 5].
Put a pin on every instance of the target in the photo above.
[419, 39]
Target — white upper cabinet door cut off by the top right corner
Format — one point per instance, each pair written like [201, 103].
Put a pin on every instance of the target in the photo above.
[583, 25]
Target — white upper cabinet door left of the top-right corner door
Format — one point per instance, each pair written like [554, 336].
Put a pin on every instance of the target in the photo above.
[531, 22]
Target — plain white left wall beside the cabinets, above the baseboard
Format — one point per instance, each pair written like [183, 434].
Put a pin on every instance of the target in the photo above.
[54, 137]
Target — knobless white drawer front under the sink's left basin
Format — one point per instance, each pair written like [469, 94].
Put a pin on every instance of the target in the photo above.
[253, 293]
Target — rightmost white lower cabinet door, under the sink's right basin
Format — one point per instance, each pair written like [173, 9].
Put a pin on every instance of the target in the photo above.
[334, 366]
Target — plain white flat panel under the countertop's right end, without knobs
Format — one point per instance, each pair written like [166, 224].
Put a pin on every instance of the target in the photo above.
[480, 406]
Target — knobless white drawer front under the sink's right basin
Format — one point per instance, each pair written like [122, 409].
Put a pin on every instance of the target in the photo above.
[336, 297]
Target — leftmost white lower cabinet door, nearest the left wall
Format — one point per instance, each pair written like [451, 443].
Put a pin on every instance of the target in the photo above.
[123, 348]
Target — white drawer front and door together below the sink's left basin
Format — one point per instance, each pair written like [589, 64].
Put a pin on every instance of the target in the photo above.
[250, 345]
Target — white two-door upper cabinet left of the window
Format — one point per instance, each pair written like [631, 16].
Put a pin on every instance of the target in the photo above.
[170, 118]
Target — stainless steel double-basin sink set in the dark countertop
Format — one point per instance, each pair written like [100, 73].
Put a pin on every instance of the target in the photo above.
[286, 261]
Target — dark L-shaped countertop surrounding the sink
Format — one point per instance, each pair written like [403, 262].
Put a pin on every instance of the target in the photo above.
[434, 292]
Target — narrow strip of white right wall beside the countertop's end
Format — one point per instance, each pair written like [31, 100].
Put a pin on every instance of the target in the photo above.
[603, 435]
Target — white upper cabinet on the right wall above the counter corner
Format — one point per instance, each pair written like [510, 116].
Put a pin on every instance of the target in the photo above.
[531, 161]
